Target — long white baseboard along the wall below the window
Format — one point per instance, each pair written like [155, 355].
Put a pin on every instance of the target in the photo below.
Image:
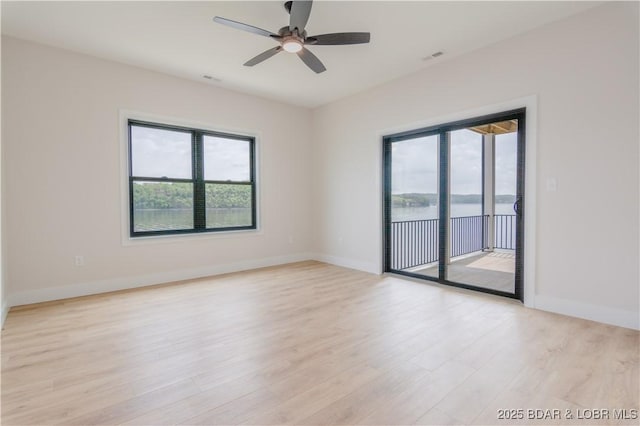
[126, 283]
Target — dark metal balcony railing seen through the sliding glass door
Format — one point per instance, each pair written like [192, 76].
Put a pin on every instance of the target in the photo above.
[415, 242]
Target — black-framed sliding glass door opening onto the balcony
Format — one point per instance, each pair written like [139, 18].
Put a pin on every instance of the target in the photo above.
[453, 203]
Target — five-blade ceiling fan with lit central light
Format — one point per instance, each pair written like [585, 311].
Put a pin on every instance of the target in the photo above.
[293, 38]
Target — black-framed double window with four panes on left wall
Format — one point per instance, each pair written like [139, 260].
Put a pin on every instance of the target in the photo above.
[184, 180]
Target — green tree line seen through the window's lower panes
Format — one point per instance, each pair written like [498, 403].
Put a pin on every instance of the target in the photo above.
[180, 196]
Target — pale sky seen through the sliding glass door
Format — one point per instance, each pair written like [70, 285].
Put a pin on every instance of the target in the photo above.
[414, 167]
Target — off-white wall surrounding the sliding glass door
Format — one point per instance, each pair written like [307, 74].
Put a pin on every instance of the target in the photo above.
[584, 73]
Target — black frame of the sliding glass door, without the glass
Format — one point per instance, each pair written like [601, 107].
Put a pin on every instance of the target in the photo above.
[443, 131]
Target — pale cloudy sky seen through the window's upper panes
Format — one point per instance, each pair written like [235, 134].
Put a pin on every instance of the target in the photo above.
[160, 153]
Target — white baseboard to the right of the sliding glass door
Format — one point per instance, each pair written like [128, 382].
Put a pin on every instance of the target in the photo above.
[619, 317]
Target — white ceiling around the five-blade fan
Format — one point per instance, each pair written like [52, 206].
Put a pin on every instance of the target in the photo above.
[180, 38]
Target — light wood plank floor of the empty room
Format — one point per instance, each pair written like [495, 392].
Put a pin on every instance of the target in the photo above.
[307, 343]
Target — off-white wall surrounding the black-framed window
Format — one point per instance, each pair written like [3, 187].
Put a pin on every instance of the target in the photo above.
[61, 144]
